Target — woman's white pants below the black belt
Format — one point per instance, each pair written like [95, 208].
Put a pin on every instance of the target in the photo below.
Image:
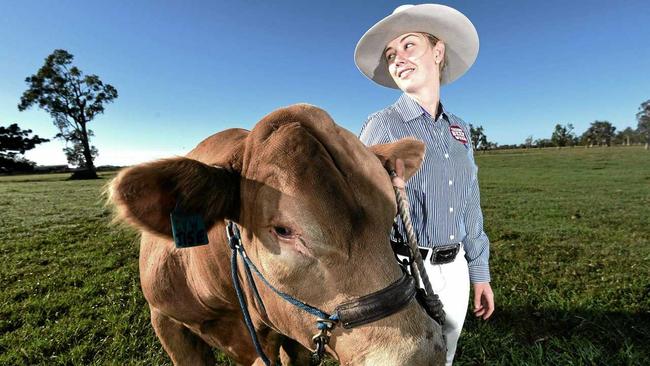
[450, 282]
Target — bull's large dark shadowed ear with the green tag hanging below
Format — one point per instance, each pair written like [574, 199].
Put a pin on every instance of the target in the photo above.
[146, 194]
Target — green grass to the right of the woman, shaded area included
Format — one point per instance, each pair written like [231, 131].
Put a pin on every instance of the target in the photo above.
[570, 258]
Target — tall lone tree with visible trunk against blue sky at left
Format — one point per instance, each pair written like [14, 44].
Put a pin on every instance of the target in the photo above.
[73, 100]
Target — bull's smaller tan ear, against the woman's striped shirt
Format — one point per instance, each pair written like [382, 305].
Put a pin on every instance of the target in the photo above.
[409, 150]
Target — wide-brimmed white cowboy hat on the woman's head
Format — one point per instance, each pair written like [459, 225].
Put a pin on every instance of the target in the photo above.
[445, 23]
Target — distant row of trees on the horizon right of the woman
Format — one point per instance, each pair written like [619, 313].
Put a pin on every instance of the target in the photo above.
[599, 133]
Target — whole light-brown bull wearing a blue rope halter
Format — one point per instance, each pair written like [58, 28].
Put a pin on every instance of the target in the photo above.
[315, 207]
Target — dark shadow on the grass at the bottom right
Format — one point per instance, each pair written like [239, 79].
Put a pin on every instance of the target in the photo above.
[612, 334]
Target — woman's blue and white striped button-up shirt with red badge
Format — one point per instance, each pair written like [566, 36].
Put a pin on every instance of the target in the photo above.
[444, 194]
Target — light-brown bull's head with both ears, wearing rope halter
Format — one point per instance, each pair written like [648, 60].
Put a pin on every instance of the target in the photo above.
[315, 208]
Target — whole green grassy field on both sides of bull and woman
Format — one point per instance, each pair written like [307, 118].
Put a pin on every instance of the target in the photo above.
[570, 232]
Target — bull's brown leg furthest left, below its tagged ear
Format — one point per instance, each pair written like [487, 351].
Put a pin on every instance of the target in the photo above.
[182, 346]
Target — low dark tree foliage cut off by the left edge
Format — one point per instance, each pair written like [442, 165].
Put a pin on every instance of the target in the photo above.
[14, 141]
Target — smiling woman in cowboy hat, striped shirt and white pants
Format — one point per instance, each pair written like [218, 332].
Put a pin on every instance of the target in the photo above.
[417, 49]
